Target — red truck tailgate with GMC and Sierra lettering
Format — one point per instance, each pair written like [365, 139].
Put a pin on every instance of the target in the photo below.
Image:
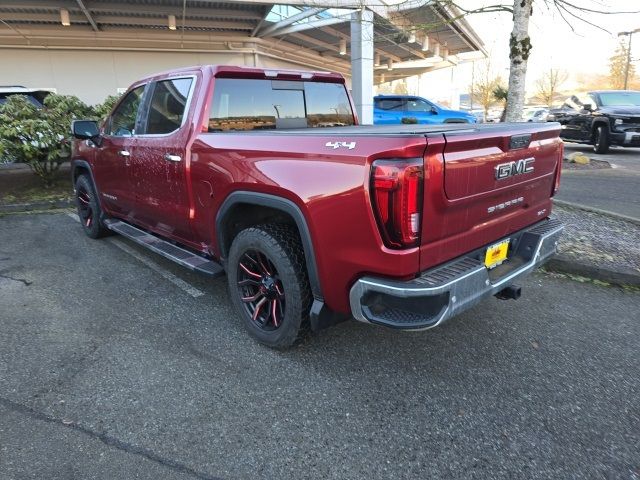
[483, 184]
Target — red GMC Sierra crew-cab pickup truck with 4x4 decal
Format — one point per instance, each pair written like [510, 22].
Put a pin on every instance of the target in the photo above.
[266, 176]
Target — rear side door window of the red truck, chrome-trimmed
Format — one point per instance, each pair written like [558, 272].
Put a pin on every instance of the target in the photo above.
[168, 105]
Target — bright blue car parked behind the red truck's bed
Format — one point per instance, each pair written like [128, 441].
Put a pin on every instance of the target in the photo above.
[397, 109]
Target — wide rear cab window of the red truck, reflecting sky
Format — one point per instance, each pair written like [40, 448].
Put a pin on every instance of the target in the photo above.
[248, 104]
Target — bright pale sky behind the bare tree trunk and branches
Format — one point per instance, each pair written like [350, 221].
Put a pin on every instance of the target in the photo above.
[582, 52]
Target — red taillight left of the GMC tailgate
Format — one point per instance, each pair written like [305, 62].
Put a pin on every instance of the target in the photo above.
[396, 190]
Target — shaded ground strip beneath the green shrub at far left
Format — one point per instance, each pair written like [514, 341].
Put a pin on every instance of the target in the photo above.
[23, 186]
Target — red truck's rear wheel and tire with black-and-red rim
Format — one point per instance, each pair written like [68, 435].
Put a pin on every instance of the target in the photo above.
[269, 285]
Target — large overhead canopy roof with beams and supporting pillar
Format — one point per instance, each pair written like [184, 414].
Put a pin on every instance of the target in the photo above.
[407, 37]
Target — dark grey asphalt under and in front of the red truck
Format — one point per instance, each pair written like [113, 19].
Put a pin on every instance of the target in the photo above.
[116, 364]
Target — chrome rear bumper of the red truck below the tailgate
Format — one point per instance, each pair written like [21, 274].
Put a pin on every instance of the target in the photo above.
[445, 291]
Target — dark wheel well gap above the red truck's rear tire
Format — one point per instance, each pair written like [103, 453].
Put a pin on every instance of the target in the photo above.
[245, 215]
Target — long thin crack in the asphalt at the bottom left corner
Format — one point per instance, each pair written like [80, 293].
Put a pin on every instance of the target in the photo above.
[107, 440]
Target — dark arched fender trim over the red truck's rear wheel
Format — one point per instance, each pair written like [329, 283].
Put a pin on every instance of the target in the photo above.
[278, 203]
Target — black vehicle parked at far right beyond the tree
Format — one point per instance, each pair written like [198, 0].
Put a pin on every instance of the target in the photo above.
[601, 119]
